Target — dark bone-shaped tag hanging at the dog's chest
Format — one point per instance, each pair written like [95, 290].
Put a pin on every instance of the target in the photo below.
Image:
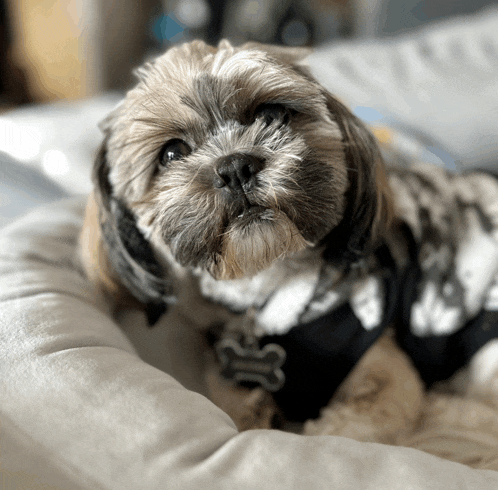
[252, 364]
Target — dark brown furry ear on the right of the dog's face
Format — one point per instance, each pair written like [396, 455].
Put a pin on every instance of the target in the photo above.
[369, 207]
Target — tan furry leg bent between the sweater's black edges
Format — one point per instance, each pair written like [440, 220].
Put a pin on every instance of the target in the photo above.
[380, 401]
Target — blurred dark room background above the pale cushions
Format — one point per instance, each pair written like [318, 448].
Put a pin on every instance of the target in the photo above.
[67, 49]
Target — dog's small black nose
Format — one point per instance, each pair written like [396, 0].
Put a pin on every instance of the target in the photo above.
[237, 172]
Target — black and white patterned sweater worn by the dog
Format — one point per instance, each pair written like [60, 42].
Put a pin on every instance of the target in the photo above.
[435, 282]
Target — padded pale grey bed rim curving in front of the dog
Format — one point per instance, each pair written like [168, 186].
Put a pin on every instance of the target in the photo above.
[79, 409]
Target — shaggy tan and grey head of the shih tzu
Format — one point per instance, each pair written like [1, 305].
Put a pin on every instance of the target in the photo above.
[230, 158]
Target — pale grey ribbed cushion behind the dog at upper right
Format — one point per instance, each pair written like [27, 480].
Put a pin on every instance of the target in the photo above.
[441, 81]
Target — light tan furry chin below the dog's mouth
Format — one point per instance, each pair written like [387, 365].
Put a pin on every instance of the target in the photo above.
[252, 242]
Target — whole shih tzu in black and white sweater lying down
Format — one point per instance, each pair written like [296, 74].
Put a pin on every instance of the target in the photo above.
[230, 177]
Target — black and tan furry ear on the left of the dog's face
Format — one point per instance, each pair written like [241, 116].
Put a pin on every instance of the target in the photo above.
[115, 252]
